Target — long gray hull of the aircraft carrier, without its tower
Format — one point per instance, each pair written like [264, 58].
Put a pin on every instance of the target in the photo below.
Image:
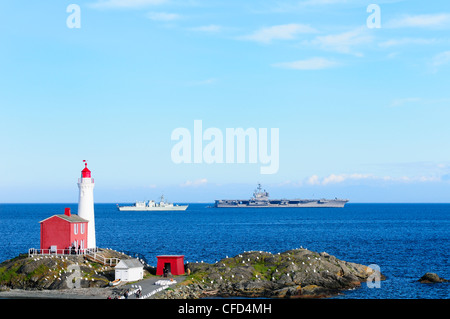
[334, 203]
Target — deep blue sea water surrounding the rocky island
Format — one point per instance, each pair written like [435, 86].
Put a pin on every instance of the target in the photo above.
[404, 240]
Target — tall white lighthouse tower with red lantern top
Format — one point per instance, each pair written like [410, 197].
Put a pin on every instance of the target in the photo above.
[86, 203]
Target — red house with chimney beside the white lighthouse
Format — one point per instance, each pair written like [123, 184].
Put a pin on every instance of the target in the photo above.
[63, 233]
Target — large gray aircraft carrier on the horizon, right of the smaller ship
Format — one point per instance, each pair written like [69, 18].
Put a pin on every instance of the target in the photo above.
[261, 199]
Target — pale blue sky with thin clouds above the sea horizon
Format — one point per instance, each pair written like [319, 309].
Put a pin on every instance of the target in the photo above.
[362, 109]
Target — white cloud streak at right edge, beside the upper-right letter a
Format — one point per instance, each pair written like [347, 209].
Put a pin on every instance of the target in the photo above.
[438, 20]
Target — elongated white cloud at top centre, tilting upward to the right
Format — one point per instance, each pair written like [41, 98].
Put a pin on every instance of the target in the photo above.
[278, 32]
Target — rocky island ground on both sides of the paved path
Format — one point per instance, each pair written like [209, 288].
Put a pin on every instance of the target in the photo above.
[297, 273]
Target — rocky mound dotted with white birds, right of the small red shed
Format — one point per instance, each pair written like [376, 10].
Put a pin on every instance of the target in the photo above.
[297, 273]
